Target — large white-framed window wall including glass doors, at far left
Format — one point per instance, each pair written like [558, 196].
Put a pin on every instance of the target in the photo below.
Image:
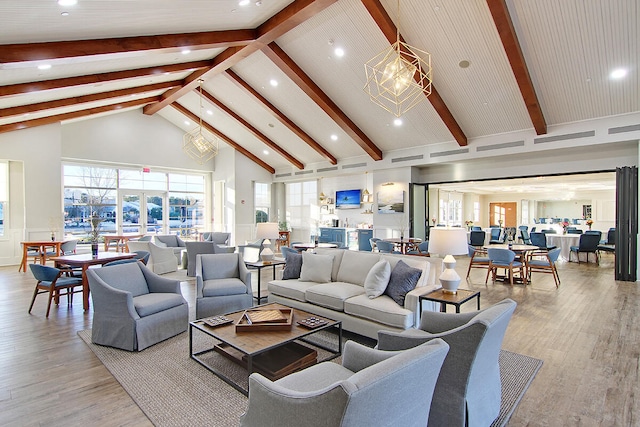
[174, 202]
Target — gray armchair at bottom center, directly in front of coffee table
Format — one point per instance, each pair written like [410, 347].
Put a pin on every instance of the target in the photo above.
[370, 388]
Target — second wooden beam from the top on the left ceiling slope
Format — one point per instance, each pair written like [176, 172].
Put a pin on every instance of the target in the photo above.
[23, 88]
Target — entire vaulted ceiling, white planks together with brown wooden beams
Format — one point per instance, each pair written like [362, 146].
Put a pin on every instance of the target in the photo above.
[275, 90]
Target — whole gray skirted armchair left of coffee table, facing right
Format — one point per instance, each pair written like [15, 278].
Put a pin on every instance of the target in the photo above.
[133, 308]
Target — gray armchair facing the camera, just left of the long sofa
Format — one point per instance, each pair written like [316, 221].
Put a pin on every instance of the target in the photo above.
[223, 284]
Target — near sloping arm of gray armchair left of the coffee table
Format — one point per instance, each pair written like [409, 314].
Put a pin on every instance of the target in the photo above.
[110, 301]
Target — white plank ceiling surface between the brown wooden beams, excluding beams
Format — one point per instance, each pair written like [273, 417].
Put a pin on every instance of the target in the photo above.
[569, 47]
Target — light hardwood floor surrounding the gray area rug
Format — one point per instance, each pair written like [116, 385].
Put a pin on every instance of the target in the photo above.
[587, 332]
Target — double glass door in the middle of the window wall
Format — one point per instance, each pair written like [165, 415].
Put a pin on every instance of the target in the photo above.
[142, 212]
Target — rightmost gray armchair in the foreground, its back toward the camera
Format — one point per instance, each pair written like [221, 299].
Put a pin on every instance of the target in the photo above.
[468, 392]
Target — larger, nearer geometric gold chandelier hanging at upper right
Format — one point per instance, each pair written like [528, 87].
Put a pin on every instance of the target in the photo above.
[399, 77]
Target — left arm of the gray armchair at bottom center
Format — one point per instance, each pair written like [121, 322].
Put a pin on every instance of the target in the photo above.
[271, 405]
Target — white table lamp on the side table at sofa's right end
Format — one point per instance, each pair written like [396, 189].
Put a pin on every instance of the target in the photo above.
[448, 242]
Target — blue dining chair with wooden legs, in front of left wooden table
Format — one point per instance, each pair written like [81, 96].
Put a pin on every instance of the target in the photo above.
[53, 281]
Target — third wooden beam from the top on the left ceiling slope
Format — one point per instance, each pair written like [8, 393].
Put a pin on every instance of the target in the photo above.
[66, 102]
